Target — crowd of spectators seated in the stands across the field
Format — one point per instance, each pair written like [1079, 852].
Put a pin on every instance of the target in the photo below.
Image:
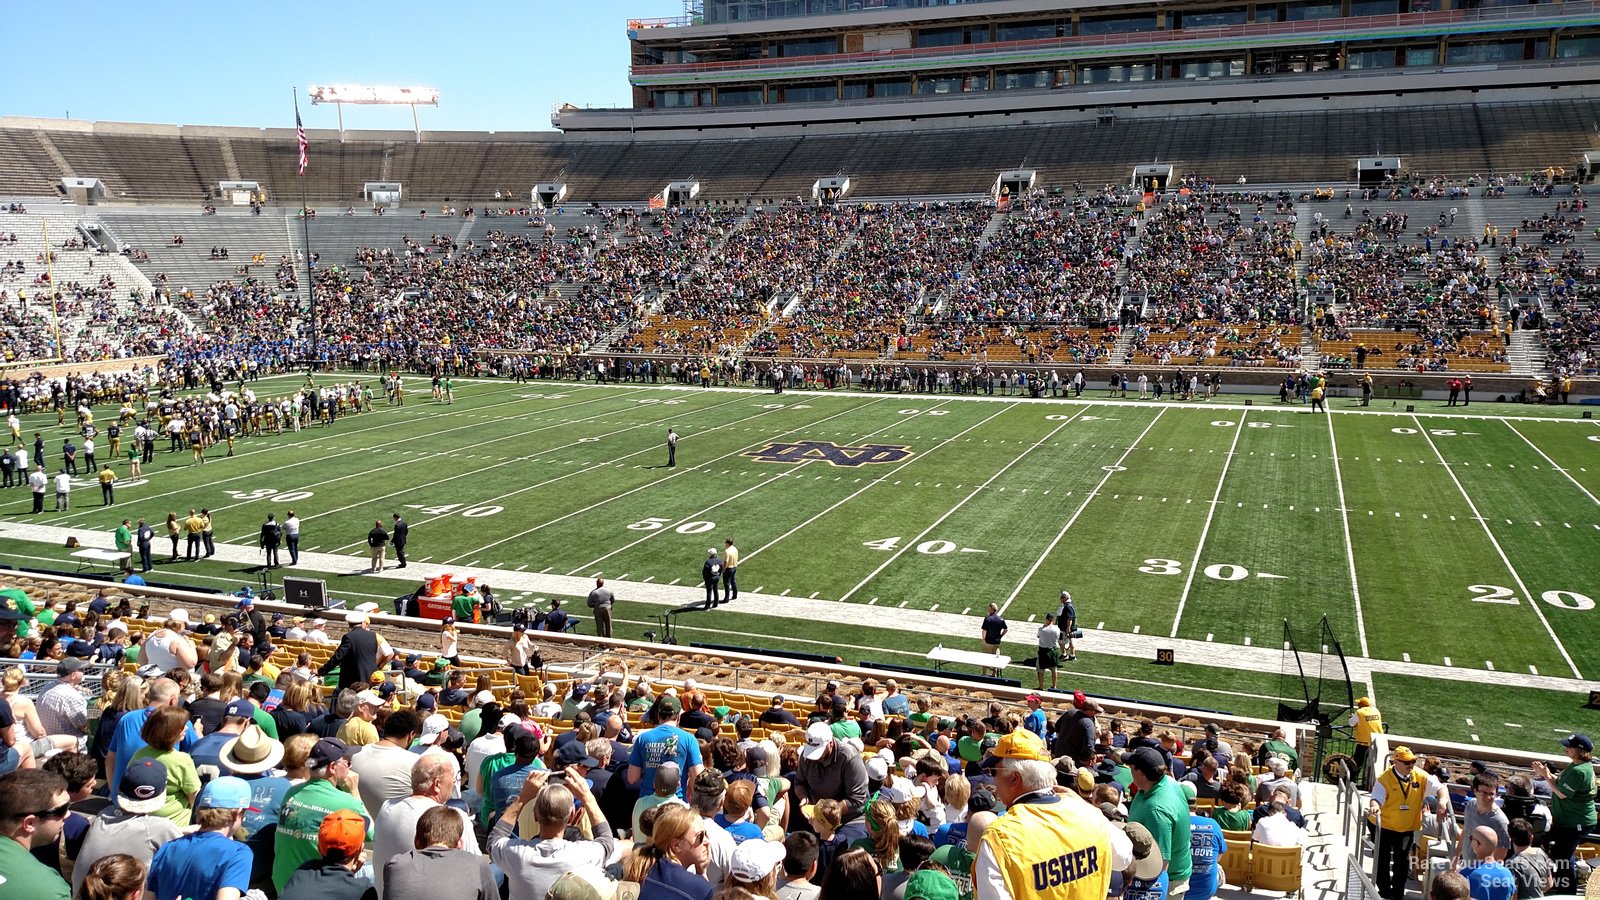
[1206, 276]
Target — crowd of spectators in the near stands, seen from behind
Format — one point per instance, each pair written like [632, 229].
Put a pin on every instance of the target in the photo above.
[230, 771]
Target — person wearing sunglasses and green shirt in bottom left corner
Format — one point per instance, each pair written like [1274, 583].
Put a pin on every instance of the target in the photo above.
[33, 808]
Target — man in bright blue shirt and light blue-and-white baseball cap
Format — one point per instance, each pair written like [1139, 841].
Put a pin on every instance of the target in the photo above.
[209, 862]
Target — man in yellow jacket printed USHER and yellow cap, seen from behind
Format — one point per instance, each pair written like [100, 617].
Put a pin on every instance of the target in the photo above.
[1047, 846]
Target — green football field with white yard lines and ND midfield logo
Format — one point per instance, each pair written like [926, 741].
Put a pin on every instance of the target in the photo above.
[1449, 548]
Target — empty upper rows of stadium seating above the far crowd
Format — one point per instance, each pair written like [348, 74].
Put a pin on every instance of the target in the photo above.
[167, 164]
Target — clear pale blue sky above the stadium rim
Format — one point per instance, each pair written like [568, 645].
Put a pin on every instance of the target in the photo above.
[500, 66]
